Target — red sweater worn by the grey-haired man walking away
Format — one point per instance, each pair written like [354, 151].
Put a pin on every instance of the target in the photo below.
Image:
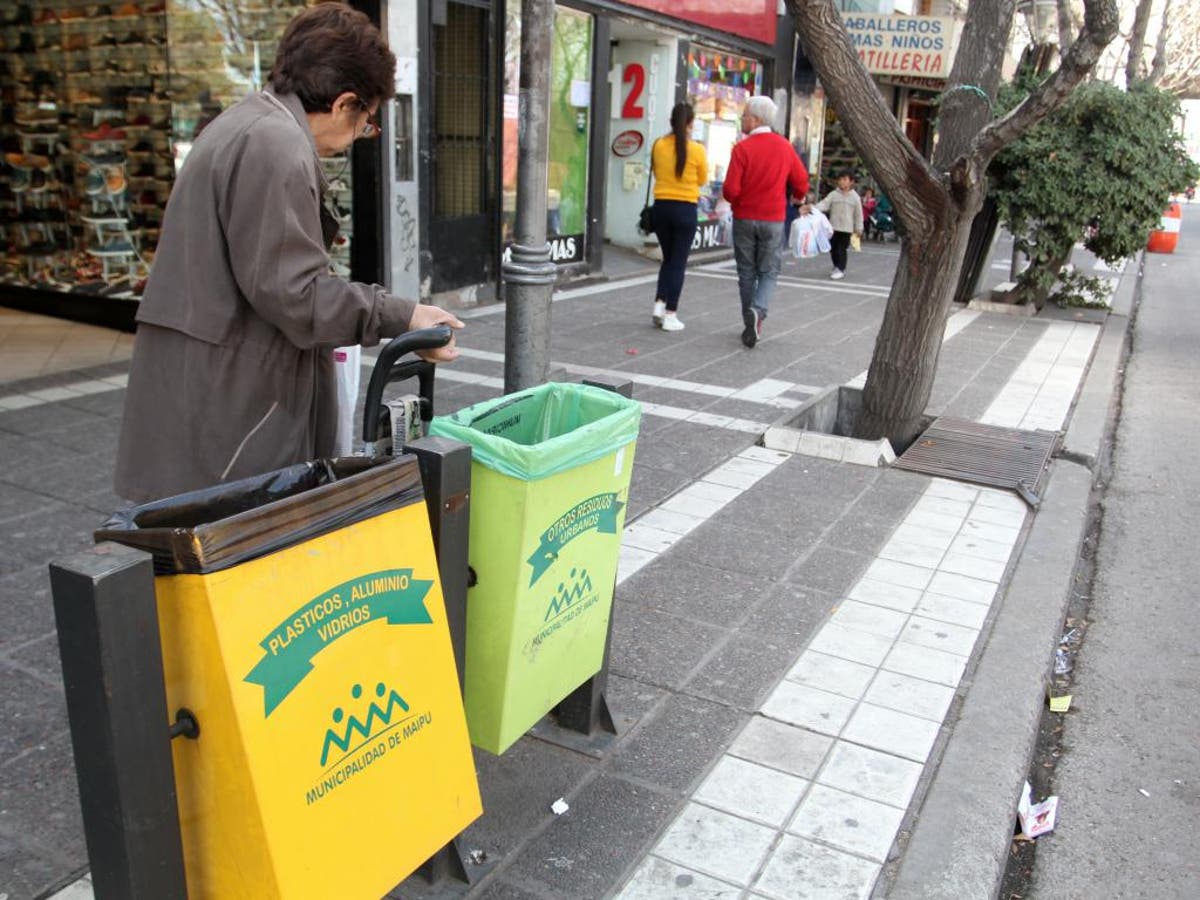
[761, 167]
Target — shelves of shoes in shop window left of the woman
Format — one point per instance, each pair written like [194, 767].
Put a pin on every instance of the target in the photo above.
[104, 69]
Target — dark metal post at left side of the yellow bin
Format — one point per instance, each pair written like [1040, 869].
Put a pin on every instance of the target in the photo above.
[117, 705]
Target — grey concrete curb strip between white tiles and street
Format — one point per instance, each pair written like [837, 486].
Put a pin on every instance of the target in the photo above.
[959, 843]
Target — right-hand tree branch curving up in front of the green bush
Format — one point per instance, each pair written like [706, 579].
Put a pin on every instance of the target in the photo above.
[1100, 27]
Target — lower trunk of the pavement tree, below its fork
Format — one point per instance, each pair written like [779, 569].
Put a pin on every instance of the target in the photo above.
[901, 380]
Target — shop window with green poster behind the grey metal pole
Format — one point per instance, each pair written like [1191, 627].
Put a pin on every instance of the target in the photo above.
[571, 106]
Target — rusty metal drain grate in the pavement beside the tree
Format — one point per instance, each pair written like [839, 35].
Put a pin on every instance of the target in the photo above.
[983, 455]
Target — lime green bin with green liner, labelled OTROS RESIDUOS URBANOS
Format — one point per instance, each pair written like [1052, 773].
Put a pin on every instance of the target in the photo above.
[550, 485]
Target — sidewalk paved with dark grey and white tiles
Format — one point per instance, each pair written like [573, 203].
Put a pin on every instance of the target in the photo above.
[795, 638]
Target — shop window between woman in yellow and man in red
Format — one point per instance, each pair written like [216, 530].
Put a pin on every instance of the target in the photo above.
[718, 88]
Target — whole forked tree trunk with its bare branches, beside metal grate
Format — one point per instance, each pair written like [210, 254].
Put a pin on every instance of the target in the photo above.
[937, 202]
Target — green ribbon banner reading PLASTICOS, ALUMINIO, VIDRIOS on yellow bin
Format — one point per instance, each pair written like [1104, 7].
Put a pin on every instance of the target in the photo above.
[392, 595]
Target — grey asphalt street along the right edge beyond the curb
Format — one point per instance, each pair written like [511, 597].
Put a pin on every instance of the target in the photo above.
[1129, 783]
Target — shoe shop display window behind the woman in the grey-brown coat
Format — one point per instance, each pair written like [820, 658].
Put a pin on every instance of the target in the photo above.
[101, 104]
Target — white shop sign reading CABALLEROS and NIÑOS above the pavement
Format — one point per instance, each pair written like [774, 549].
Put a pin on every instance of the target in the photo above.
[904, 45]
